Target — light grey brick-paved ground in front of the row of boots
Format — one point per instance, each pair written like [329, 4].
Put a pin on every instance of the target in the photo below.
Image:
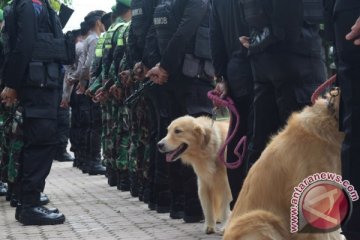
[93, 210]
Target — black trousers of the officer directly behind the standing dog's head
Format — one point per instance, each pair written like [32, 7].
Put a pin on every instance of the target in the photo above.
[185, 96]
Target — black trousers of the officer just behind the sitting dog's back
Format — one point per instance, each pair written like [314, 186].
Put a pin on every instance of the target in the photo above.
[283, 83]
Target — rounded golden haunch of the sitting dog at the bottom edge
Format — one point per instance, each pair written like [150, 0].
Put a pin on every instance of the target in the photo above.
[258, 224]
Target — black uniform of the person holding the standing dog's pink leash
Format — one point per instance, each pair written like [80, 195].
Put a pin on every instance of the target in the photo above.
[231, 63]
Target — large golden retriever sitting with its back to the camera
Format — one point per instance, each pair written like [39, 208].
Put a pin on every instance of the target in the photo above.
[310, 143]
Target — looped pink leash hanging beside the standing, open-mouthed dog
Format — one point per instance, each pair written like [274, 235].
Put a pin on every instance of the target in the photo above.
[228, 103]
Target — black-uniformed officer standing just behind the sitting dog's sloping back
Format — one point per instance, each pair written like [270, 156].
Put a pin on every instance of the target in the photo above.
[286, 56]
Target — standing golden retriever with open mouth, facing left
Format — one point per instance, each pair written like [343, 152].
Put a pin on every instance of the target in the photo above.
[197, 142]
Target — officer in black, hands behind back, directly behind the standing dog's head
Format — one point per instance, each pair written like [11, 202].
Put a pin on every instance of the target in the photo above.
[187, 84]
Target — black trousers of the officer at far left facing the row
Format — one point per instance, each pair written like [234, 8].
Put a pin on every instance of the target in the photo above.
[39, 127]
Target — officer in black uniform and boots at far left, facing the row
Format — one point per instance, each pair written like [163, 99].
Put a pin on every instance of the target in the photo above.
[38, 94]
